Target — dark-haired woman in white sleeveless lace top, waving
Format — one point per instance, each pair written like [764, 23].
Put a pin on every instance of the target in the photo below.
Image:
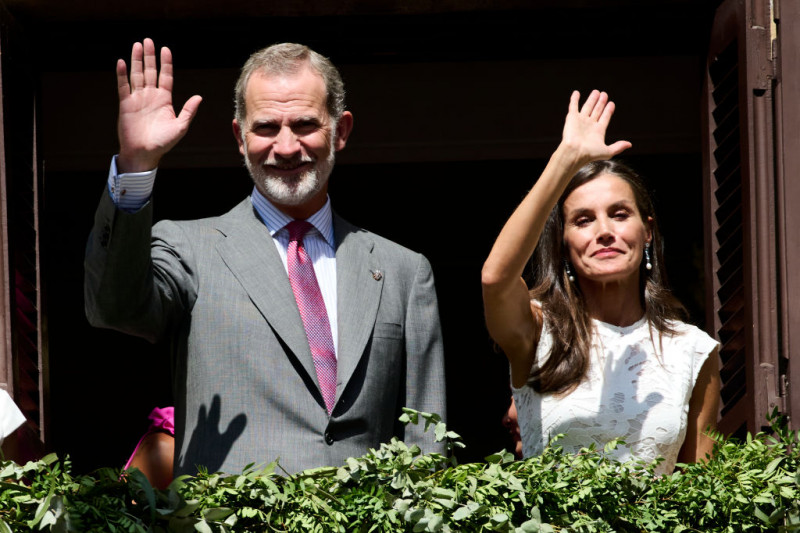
[596, 348]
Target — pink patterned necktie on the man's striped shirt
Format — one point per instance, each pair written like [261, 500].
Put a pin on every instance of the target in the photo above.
[312, 310]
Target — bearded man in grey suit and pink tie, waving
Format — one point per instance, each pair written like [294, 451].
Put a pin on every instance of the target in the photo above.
[232, 292]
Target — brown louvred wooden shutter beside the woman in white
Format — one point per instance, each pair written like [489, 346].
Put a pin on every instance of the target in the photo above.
[740, 210]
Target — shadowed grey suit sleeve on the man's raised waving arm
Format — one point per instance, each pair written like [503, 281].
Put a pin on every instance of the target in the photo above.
[136, 280]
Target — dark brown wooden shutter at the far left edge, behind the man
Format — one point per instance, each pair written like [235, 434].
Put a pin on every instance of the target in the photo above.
[23, 364]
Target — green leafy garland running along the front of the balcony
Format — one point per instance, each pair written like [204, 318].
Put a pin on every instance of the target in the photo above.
[748, 486]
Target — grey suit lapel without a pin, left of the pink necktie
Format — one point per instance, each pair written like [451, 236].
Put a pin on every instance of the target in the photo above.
[250, 253]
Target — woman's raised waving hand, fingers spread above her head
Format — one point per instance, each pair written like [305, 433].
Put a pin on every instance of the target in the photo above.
[585, 128]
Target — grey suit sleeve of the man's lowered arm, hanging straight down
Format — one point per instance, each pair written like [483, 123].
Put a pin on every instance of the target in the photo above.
[425, 383]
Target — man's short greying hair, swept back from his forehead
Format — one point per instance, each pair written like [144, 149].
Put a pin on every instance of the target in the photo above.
[290, 58]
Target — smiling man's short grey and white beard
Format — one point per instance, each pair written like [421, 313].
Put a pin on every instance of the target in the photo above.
[294, 191]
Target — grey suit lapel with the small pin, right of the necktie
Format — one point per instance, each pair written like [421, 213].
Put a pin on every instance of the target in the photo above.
[358, 294]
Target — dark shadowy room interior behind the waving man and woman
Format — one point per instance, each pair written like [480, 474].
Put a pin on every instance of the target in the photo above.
[456, 111]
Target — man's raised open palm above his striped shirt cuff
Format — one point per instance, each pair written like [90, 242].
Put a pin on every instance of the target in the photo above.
[148, 127]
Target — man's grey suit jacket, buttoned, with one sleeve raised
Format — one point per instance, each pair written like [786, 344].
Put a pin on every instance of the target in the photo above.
[245, 385]
